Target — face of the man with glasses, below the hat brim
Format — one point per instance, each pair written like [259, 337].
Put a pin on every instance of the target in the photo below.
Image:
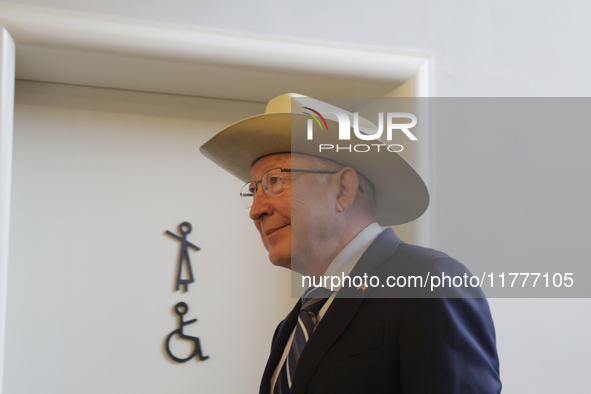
[296, 221]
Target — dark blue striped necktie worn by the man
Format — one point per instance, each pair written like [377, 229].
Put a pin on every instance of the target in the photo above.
[312, 301]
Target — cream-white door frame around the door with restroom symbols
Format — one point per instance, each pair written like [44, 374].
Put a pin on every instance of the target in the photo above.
[82, 49]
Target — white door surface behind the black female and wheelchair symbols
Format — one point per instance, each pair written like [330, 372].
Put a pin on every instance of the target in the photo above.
[98, 176]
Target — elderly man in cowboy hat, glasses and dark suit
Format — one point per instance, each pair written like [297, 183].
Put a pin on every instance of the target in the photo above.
[316, 214]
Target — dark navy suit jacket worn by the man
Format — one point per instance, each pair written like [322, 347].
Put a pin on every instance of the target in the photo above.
[395, 345]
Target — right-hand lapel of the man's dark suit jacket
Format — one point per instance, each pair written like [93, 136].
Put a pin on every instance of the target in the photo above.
[341, 311]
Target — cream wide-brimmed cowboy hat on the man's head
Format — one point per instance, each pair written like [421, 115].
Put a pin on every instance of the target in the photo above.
[400, 192]
